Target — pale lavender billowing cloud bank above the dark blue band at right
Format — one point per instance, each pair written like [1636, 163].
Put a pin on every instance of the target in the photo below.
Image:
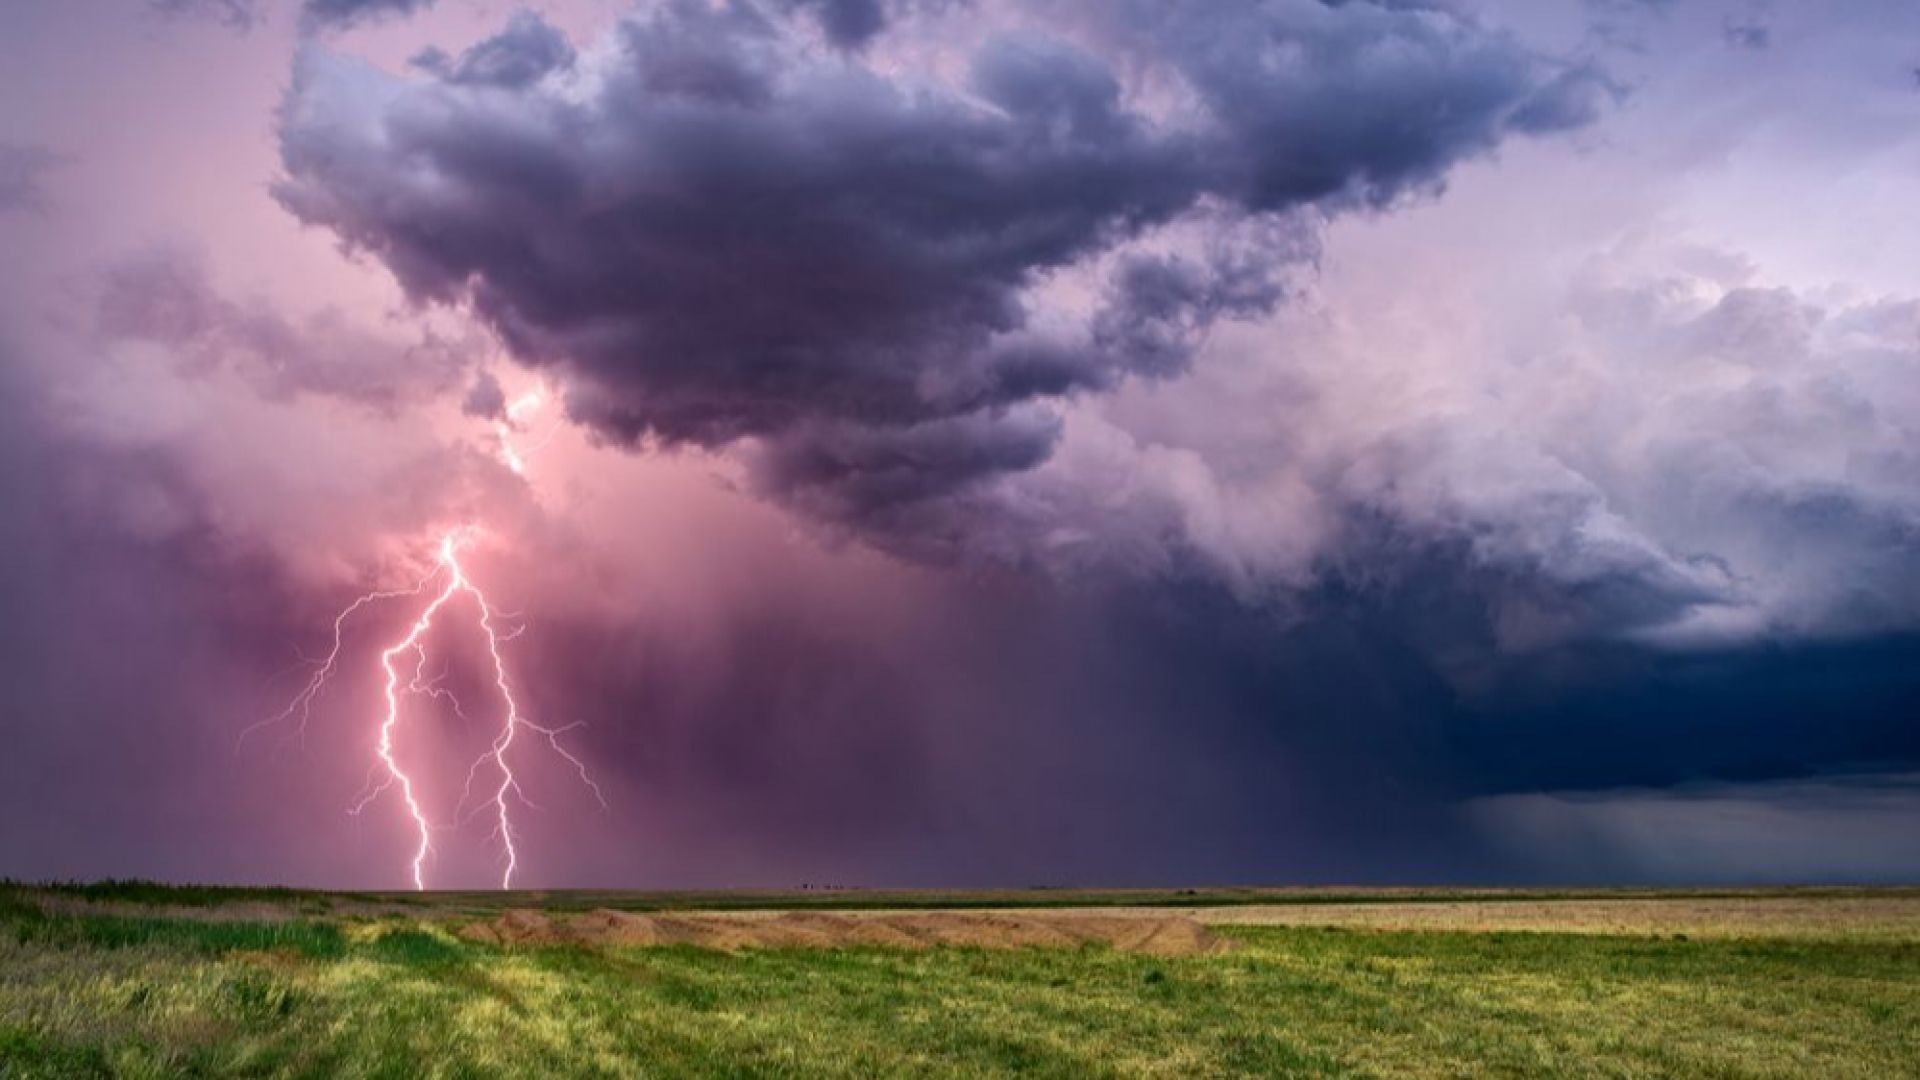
[1764, 491]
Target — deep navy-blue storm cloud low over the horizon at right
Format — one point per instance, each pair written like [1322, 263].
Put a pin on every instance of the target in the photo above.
[1529, 685]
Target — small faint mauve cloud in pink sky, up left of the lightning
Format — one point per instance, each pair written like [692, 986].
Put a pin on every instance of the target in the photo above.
[166, 299]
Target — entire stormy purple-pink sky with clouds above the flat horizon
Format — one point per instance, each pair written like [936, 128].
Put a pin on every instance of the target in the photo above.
[965, 443]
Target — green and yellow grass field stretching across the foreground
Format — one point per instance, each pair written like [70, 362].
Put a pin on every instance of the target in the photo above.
[141, 981]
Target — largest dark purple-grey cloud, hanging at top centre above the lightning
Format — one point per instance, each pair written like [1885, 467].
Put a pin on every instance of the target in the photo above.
[723, 235]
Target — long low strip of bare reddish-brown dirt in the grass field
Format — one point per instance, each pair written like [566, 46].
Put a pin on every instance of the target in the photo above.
[1159, 935]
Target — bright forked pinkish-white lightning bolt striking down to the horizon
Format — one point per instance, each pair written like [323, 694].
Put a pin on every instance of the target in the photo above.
[389, 773]
